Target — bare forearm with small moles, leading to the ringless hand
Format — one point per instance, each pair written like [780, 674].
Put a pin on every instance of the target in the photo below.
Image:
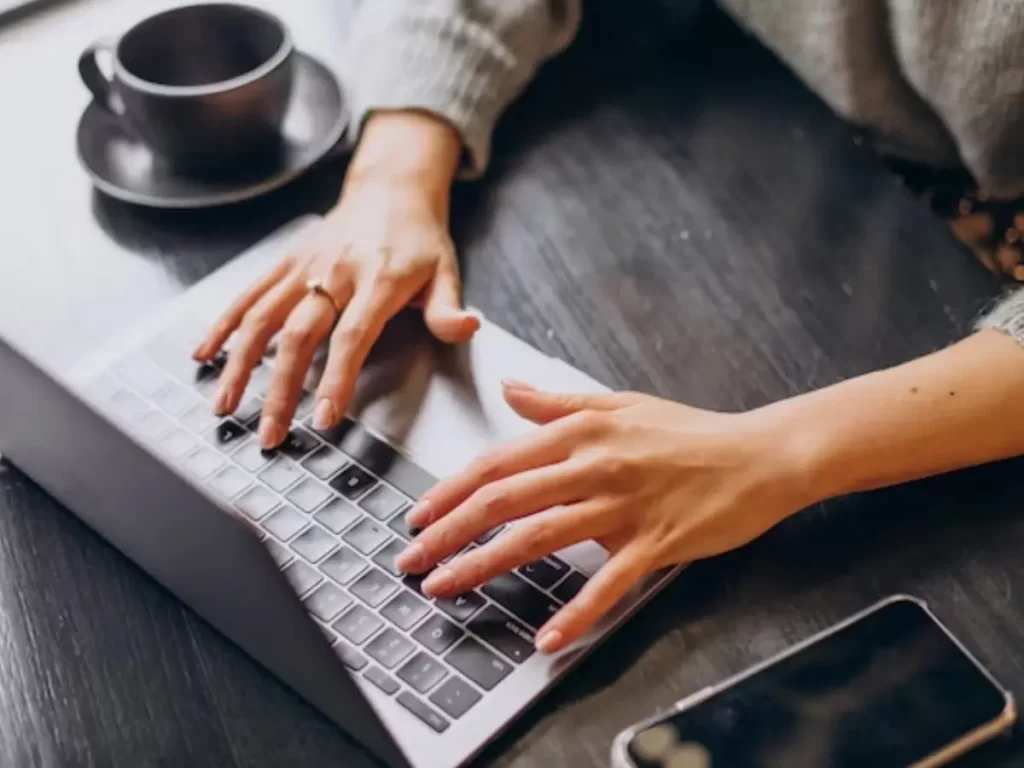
[958, 408]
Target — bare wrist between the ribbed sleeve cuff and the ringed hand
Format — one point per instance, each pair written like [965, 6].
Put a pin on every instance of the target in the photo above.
[410, 148]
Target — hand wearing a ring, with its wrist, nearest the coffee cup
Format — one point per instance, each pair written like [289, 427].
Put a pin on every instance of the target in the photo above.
[385, 246]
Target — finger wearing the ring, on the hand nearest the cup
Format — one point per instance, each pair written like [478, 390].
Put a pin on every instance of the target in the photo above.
[307, 327]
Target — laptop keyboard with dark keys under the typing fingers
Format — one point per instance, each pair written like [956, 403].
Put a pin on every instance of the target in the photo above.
[330, 507]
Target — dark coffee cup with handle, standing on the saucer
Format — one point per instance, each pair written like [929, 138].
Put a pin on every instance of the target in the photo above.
[206, 88]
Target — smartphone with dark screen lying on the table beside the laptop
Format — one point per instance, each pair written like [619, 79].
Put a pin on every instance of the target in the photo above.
[889, 688]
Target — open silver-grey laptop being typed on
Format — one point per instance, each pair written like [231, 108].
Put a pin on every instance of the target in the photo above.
[290, 554]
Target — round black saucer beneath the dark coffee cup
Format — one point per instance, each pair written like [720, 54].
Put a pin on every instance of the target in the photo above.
[124, 168]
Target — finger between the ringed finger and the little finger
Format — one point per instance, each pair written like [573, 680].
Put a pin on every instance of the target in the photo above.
[260, 326]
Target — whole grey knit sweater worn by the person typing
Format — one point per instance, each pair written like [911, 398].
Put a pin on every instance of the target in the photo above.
[937, 81]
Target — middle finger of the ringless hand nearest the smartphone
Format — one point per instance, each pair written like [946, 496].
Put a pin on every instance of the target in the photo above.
[493, 505]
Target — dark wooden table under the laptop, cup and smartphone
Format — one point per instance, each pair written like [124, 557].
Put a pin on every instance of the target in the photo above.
[670, 211]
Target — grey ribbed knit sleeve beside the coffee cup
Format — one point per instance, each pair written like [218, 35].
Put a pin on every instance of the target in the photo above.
[464, 61]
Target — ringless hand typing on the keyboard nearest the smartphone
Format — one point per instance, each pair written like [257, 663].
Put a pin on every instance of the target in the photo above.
[654, 482]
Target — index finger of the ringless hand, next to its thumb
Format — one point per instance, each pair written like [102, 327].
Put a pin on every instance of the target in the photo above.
[539, 449]
